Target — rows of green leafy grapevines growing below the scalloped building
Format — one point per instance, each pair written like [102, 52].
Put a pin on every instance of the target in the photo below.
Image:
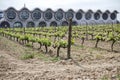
[56, 37]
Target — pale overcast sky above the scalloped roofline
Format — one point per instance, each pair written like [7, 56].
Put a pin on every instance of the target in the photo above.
[64, 4]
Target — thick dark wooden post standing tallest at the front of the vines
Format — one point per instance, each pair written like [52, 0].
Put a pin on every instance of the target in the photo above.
[69, 39]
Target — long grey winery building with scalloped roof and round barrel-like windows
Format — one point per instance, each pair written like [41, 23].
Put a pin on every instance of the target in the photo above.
[39, 18]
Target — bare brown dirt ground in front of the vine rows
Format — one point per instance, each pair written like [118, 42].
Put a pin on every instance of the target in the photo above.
[87, 64]
